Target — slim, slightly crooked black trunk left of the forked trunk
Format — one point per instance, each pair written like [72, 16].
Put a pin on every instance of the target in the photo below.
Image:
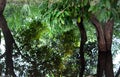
[82, 43]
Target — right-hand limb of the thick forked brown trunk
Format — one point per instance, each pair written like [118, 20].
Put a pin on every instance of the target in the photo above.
[108, 32]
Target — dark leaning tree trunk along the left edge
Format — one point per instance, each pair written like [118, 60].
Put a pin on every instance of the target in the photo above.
[8, 41]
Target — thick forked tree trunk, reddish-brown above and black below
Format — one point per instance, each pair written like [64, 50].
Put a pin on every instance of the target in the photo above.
[105, 65]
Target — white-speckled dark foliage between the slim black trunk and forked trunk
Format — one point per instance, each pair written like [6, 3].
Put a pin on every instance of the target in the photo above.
[91, 58]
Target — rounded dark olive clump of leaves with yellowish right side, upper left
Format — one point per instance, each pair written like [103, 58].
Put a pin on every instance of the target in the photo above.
[34, 31]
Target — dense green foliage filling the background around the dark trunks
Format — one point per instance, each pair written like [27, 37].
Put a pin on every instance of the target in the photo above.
[48, 36]
